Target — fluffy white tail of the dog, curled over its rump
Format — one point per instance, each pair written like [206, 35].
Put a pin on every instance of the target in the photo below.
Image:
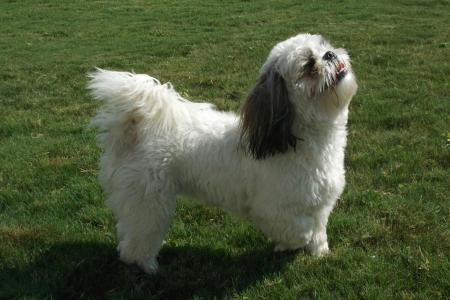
[134, 106]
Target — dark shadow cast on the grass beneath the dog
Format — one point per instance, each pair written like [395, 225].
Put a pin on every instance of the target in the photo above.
[93, 271]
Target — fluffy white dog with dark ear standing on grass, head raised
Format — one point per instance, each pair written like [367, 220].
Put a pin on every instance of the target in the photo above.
[280, 164]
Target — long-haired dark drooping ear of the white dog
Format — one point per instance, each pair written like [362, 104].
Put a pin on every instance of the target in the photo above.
[267, 117]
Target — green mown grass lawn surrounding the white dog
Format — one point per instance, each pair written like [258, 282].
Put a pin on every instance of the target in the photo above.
[389, 234]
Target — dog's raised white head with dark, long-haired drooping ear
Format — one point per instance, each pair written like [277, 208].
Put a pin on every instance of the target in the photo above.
[304, 80]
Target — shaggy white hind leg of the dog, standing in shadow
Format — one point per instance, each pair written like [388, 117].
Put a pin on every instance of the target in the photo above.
[143, 203]
